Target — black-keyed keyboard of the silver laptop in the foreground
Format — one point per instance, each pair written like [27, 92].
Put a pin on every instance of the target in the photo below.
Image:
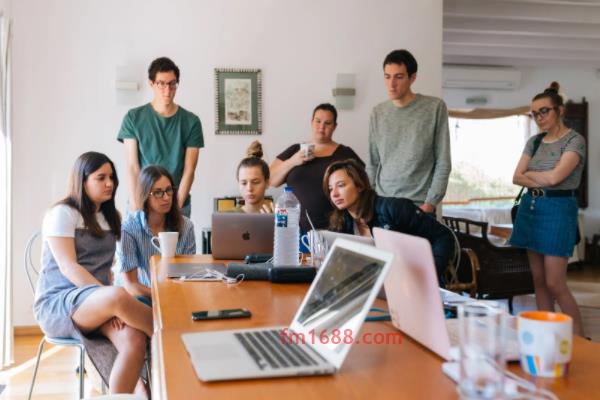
[271, 349]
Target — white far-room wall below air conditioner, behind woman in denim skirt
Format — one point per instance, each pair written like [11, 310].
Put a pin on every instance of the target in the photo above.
[575, 83]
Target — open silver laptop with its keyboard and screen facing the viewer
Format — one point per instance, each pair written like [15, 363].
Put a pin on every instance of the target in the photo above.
[337, 301]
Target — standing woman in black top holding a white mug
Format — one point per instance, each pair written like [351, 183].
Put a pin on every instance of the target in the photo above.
[302, 166]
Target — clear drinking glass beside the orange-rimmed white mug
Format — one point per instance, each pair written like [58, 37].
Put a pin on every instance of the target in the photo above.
[482, 333]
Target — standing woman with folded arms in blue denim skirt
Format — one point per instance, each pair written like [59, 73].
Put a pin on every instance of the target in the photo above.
[546, 221]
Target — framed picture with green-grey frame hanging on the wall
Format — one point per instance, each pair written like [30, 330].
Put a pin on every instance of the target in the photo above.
[238, 101]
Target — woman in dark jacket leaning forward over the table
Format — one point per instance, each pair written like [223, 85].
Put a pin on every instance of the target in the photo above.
[358, 209]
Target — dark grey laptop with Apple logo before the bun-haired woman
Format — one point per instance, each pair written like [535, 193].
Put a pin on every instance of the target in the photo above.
[234, 235]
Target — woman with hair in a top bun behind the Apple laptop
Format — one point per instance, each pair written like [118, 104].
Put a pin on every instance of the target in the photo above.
[253, 180]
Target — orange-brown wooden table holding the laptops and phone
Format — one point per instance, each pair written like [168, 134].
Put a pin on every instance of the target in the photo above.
[375, 371]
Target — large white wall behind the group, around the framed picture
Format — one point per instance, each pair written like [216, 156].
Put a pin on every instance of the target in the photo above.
[66, 54]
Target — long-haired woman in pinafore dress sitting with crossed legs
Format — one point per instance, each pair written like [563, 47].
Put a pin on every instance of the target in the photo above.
[73, 296]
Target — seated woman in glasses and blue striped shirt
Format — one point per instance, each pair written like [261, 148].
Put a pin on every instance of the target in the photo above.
[160, 213]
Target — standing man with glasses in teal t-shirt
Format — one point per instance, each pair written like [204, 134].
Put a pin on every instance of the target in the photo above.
[163, 133]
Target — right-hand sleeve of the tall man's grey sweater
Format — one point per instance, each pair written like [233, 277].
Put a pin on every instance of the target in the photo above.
[442, 162]
